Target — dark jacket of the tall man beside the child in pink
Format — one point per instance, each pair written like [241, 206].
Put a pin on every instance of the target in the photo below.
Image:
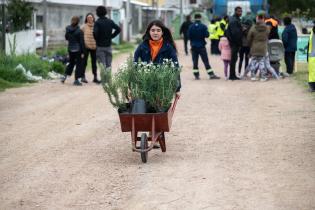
[234, 32]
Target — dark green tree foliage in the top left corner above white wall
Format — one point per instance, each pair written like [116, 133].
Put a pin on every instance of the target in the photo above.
[19, 14]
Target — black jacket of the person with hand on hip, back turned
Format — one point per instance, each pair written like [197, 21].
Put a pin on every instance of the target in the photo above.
[103, 31]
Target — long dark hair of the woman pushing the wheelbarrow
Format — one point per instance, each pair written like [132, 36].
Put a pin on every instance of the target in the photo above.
[167, 35]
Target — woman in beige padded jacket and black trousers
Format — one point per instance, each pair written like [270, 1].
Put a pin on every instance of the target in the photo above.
[90, 47]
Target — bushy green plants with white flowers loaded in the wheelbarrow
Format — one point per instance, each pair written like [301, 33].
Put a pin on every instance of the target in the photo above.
[155, 84]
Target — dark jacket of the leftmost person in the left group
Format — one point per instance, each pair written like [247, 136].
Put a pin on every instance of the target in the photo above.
[75, 39]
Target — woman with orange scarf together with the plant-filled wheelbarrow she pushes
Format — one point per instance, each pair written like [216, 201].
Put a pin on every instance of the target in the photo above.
[149, 82]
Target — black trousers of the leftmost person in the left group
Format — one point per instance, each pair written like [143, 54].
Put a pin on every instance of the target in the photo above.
[74, 60]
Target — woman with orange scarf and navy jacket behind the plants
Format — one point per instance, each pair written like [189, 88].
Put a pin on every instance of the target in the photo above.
[158, 44]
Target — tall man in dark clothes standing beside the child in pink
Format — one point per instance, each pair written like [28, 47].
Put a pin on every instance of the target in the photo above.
[234, 33]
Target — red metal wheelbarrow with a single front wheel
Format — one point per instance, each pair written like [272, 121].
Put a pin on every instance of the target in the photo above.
[154, 123]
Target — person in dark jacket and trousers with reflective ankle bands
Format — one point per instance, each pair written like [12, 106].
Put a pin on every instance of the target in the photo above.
[197, 33]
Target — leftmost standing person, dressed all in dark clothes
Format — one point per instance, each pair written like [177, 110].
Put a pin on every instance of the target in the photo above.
[76, 50]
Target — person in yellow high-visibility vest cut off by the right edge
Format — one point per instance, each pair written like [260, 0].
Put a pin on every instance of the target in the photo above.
[311, 60]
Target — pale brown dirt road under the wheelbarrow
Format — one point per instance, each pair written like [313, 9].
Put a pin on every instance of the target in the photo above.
[233, 145]
